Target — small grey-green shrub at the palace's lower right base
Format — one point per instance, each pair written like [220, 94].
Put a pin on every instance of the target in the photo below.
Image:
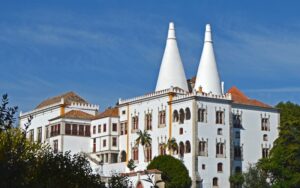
[255, 177]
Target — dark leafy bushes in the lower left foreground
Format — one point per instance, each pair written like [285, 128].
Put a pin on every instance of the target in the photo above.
[28, 164]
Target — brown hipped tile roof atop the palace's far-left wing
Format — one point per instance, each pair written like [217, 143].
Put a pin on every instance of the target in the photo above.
[68, 98]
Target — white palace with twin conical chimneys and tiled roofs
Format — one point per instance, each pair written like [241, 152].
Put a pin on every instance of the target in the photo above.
[218, 133]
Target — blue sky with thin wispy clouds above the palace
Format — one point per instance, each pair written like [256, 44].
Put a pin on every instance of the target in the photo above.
[105, 50]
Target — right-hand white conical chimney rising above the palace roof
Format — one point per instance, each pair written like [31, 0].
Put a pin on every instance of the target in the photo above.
[208, 76]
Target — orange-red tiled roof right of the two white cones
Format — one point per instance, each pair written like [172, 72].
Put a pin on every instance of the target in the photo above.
[239, 97]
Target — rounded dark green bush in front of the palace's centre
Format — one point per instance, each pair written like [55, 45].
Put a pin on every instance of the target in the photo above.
[174, 172]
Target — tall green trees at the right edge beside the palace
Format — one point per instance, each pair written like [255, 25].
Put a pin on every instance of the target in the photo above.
[283, 164]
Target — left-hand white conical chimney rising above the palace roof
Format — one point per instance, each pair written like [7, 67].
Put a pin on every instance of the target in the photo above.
[171, 73]
